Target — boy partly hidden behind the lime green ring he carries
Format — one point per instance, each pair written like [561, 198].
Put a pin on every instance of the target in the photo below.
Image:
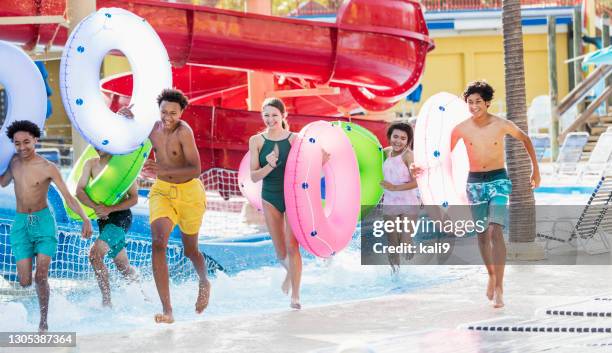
[113, 224]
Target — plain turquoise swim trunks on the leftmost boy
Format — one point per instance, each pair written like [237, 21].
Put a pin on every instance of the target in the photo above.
[33, 233]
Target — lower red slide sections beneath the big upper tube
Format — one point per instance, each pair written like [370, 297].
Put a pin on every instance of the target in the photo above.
[219, 117]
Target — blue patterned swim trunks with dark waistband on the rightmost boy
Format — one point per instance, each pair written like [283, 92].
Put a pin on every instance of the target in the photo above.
[488, 193]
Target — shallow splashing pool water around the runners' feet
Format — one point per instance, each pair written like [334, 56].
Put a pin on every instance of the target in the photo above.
[251, 291]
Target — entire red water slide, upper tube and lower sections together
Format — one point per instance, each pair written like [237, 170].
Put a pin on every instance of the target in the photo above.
[374, 52]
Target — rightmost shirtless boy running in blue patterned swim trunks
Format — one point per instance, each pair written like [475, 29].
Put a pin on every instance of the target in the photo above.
[488, 187]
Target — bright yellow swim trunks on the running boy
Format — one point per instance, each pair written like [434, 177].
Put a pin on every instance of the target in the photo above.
[184, 204]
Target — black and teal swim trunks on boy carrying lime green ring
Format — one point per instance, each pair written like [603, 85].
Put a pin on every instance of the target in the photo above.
[114, 229]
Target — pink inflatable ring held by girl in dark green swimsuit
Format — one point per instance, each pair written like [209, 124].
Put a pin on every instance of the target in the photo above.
[322, 231]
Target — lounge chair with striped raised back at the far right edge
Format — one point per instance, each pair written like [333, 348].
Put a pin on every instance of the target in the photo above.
[591, 226]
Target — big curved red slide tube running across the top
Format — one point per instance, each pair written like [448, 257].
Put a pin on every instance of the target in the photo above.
[377, 48]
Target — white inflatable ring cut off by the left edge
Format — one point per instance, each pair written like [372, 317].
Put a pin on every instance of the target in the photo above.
[26, 95]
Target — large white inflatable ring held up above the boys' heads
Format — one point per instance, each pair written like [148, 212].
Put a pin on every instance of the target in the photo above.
[96, 35]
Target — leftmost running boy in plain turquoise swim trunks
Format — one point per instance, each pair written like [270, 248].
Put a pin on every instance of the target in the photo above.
[33, 231]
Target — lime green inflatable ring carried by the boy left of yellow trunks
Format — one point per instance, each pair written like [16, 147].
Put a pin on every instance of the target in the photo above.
[111, 185]
